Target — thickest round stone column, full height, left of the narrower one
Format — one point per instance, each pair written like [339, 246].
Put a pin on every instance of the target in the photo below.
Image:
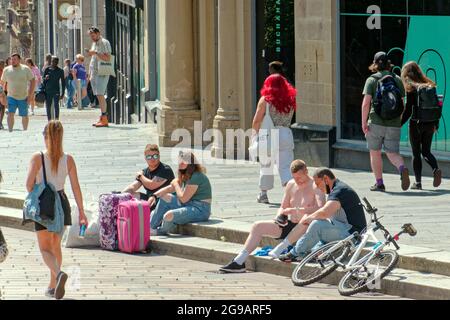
[177, 78]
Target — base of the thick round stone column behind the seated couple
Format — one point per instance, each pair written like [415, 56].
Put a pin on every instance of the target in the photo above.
[171, 119]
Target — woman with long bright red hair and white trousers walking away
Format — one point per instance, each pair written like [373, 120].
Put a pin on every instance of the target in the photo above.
[278, 97]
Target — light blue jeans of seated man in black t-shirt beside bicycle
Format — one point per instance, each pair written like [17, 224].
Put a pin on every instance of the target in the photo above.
[320, 232]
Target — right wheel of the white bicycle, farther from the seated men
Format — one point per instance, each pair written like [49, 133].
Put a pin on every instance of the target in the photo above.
[368, 277]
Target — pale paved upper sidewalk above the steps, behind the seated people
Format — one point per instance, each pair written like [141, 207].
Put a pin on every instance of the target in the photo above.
[108, 159]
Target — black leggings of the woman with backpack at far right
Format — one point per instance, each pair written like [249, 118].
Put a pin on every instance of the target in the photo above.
[421, 138]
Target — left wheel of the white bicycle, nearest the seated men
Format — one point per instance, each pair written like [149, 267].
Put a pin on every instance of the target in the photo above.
[311, 270]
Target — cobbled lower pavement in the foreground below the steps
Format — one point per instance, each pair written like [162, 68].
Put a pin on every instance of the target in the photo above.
[96, 274]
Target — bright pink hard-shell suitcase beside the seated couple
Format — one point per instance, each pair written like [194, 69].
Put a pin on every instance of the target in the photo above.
[133, 226]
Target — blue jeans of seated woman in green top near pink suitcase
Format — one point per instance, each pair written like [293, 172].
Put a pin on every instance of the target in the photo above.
[190, 212]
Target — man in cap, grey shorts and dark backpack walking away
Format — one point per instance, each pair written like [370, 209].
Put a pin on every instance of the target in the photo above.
[382, 111]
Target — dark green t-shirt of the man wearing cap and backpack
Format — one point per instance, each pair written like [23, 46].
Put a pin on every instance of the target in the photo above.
[371, 89]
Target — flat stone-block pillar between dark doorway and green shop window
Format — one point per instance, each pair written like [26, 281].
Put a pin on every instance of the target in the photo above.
[315, 48]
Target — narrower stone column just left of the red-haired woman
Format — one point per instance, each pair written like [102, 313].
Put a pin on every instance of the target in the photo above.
[228, 116]
